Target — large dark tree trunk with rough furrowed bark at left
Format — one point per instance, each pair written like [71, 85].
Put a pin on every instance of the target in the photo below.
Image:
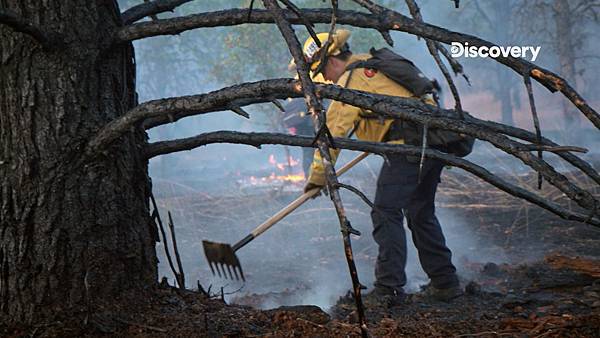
[73, 233]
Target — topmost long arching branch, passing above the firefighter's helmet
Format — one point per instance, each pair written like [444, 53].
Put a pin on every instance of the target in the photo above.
[387, 20]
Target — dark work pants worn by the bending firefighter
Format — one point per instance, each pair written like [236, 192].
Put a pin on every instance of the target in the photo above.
[399, 192]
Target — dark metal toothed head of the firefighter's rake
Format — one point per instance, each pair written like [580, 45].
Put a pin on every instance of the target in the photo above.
[221, 256]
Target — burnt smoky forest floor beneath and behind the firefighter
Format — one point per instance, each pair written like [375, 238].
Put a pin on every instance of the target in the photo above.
[525, 272]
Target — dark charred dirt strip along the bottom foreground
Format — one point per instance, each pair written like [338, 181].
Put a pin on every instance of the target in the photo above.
[559, 297]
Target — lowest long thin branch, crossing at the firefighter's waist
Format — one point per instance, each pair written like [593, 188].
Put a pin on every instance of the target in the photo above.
[258, 139]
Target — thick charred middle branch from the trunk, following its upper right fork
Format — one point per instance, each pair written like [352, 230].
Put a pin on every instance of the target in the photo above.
[157, 112]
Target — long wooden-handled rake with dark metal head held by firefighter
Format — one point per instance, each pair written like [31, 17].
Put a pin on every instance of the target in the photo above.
[221, 256]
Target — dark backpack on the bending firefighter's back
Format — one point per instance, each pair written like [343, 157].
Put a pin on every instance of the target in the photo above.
[406, 74]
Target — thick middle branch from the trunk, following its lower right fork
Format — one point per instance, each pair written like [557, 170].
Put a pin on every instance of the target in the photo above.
[386, 106]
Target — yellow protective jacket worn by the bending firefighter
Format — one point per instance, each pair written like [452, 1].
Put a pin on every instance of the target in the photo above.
[342, 118]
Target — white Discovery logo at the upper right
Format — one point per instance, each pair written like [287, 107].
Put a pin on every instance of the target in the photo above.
[458, 49]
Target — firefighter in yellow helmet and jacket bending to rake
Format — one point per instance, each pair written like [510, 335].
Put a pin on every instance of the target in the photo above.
[399, 192]
